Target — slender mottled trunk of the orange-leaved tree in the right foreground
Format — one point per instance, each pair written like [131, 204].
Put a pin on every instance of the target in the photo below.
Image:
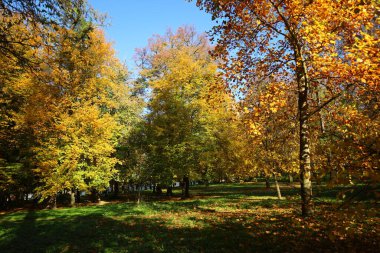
[305, 166]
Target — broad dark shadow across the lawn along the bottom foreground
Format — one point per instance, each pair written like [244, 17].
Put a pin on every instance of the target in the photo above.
[222, 233]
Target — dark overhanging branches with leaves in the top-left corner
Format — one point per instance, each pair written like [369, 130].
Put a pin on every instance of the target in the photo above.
[42, 18]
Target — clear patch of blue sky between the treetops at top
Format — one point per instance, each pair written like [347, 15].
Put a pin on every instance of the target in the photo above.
[133, 22]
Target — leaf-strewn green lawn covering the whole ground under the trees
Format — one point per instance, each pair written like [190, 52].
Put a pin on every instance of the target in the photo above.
[220, 218]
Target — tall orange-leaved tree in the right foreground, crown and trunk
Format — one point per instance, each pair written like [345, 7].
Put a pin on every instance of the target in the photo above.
[310, 43]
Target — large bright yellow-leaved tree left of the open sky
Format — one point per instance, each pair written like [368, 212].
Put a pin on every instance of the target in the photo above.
[73, 107]
